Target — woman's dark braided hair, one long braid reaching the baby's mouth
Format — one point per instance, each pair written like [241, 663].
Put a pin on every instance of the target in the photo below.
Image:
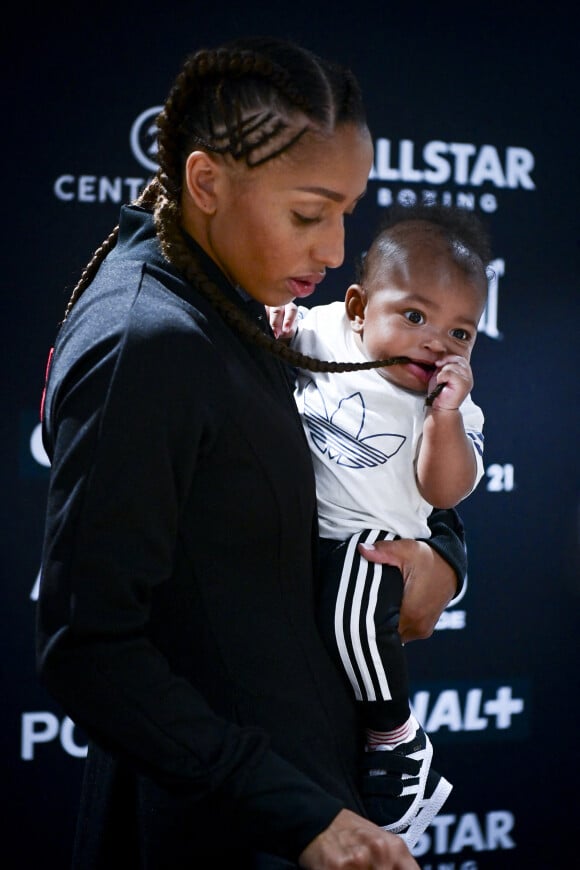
[241, 100]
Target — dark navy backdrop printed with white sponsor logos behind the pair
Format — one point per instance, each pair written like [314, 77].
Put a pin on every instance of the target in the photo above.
[480, 109]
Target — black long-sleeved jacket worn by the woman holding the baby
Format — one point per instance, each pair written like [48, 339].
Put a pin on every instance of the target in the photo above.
[176, 612]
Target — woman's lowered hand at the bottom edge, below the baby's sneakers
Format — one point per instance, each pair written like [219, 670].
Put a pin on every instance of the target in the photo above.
[353, 843]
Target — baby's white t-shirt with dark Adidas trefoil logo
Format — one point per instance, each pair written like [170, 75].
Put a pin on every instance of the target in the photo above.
[363, 433]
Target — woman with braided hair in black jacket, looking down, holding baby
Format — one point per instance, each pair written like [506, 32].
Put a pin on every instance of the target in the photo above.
[176, 622]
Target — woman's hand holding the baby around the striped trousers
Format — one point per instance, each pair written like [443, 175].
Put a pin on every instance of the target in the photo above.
[430, 583]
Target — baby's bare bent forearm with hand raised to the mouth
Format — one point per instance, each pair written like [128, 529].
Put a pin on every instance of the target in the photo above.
[446, 466]
